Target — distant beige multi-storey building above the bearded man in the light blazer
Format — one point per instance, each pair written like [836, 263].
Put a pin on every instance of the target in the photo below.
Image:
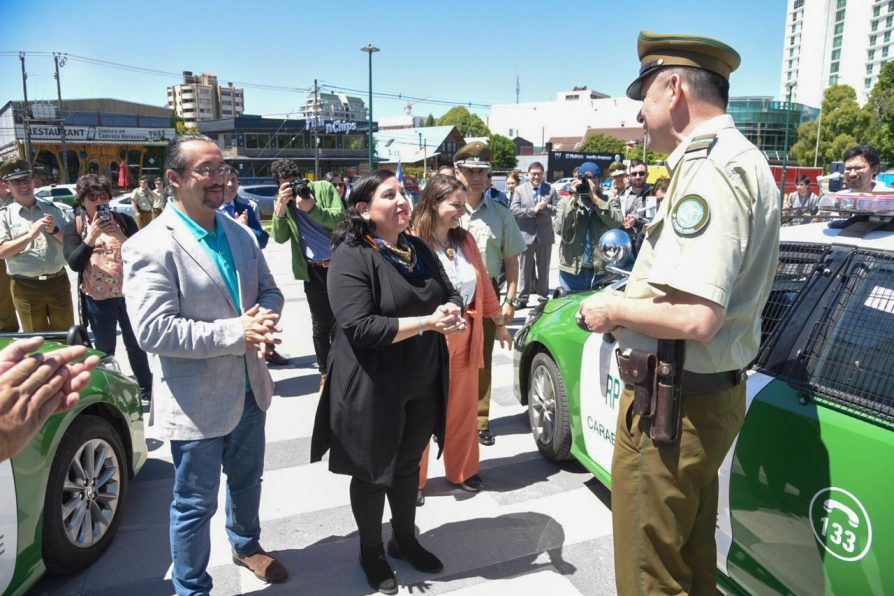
[202, 98]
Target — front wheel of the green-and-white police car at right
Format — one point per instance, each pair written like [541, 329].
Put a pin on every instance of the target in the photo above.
[548, 409]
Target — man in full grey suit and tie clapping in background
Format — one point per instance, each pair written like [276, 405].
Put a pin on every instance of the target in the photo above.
[534, 204]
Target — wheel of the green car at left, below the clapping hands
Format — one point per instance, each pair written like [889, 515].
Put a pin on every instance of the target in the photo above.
[84, 503]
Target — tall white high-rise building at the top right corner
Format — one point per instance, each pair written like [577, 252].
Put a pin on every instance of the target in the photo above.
[829, 42]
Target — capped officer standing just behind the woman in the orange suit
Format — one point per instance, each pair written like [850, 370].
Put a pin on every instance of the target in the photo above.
[500, 241]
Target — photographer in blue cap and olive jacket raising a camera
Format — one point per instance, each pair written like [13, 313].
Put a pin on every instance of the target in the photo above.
[580, 221]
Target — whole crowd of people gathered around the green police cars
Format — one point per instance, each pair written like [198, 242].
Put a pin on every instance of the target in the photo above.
[407, 303]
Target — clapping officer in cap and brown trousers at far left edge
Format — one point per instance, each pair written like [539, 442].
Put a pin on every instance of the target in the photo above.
[31, 243]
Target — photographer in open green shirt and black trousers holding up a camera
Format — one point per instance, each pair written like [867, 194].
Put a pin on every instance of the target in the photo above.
[305, 214]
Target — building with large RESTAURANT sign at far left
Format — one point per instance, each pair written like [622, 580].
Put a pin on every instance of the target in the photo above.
[100, 136]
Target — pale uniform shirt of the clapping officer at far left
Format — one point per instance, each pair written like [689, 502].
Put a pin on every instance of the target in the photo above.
[43, 255]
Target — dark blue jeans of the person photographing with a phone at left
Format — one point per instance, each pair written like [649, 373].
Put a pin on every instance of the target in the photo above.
[105, 316]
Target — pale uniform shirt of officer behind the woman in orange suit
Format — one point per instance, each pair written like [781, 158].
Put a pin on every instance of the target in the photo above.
[495, 231]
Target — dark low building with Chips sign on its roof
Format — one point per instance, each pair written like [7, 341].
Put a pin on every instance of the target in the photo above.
[251, 143]
